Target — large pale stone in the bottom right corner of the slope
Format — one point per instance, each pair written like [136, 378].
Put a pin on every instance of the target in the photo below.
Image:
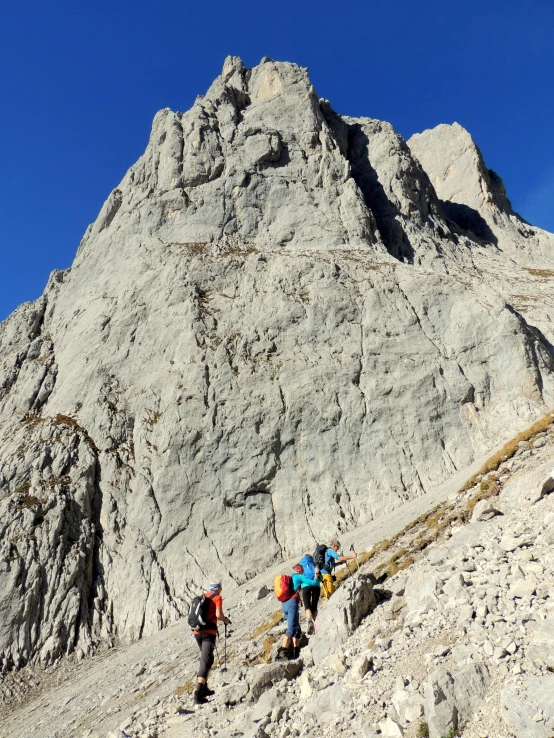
[529, 711]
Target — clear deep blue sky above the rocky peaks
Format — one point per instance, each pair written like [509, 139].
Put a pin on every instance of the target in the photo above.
[81, 81]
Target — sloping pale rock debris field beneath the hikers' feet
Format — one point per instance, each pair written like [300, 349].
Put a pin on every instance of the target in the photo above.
[460, 642]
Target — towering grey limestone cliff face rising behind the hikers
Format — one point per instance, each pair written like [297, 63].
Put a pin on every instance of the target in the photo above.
[275, 330]
